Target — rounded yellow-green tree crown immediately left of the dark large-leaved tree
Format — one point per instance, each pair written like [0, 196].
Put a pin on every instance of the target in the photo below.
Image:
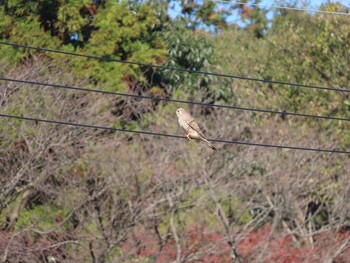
[125, 35]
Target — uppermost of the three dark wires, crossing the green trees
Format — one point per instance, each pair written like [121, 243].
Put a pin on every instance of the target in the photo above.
[175, 69]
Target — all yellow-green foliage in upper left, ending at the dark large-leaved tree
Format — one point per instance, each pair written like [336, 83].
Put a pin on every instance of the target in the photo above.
[114, 31]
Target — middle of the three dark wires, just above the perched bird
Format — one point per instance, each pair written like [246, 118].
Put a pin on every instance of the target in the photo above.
[177, 101]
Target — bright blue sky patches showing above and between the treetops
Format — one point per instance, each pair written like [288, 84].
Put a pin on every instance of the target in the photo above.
[313, 4]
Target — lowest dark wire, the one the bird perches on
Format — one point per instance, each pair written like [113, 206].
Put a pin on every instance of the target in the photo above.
[172, 135]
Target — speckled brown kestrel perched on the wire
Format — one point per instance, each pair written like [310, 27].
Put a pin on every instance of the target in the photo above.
[187, 122]
